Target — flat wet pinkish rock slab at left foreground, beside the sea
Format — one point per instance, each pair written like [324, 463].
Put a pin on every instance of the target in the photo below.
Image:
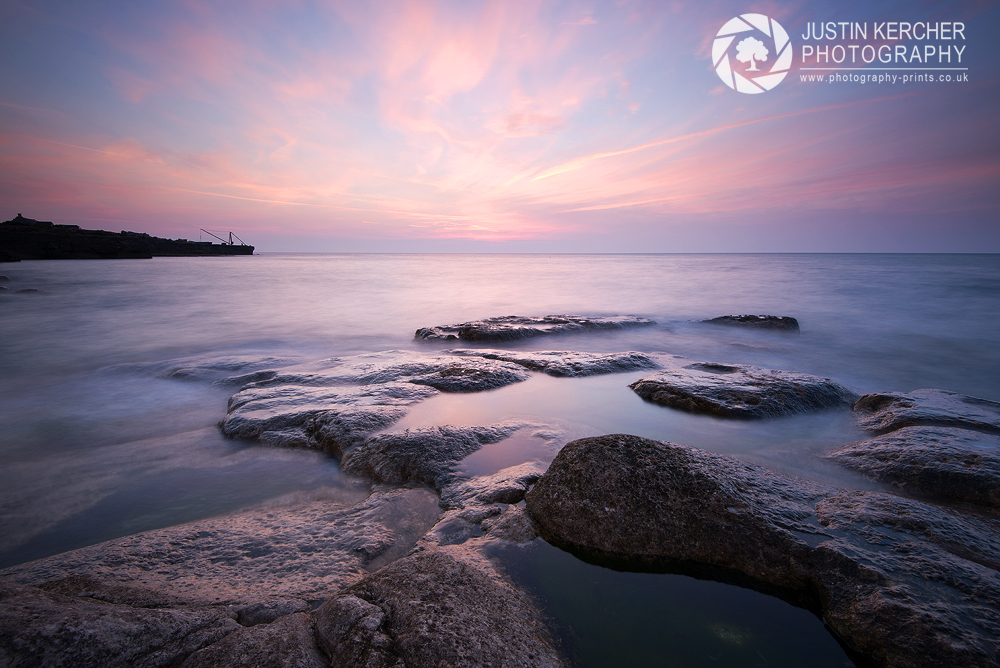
[298, 552]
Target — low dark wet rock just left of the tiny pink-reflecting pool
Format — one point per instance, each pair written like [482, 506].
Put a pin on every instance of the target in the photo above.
[426, 455]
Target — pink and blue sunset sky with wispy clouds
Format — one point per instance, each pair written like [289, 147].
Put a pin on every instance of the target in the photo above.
[477, 126]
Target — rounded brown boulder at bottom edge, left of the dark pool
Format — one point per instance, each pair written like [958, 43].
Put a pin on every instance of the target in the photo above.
[431, 609]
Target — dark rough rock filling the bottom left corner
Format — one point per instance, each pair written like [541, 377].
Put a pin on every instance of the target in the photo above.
[40, 628]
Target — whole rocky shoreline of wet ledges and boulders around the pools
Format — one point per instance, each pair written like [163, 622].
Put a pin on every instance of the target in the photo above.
[403, 578]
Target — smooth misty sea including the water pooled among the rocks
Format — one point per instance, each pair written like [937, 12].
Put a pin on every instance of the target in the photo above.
[96, 446]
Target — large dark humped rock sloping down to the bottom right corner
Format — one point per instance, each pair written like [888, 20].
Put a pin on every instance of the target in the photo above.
[902, 582]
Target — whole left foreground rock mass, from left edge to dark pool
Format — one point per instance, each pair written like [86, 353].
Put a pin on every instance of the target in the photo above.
[237, 591]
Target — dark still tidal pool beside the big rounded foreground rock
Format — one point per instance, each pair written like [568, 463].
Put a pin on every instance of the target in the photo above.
[603, 617]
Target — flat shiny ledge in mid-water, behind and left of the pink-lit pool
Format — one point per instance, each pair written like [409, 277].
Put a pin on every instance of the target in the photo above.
[340, 403]
